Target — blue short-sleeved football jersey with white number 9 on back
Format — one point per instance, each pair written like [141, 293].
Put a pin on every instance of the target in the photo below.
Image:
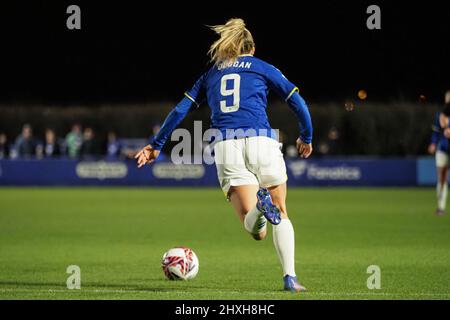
[237, 93]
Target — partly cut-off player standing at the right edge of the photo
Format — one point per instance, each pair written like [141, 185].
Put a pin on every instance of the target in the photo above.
[440, 147]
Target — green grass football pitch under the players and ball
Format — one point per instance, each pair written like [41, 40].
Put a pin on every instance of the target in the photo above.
[118, 235]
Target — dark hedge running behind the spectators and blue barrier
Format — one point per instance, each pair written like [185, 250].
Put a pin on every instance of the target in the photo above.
[365, 130]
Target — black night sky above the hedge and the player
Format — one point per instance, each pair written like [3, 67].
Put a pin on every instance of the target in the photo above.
[147, 51]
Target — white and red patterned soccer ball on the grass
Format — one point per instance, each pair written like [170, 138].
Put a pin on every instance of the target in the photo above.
[180, 263]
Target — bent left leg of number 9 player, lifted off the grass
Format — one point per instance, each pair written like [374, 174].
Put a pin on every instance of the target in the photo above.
[243, 199]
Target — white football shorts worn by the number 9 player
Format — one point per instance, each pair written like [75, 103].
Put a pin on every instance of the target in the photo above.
[252, 160]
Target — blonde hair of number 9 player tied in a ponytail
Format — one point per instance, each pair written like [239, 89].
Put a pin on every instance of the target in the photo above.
[235, 39]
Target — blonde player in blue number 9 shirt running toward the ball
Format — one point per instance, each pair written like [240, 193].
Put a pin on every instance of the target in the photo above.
[250, 165]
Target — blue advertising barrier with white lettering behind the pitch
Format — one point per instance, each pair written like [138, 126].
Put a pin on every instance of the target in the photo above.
[314, 172]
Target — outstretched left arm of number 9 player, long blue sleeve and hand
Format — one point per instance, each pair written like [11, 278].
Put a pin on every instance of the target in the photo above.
[150, 152]
